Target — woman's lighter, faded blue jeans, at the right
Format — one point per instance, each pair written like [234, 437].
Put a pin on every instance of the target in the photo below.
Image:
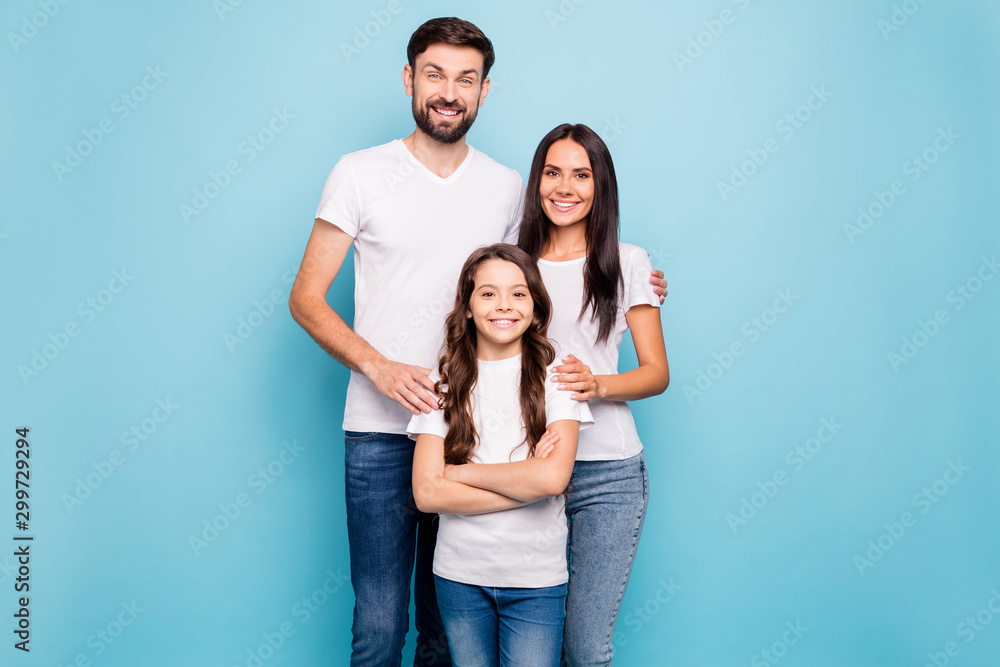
[606, 509]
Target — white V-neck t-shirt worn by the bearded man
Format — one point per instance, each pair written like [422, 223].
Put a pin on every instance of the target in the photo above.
[412, 232]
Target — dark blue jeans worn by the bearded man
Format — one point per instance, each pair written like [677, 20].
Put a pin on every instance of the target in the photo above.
[385, 530]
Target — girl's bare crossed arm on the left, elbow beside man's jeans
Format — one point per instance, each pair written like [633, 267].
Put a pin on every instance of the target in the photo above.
[433, 493]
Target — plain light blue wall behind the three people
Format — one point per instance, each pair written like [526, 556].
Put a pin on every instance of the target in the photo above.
[675, 133]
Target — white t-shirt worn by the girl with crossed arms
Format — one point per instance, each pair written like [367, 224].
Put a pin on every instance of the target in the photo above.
[523, 547]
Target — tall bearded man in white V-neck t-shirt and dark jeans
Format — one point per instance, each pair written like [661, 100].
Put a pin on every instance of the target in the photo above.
[413, 209]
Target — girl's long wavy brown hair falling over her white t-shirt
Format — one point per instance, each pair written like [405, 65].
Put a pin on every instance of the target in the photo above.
[459, 368]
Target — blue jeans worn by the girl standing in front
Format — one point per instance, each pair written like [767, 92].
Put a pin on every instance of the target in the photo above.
[502, 627]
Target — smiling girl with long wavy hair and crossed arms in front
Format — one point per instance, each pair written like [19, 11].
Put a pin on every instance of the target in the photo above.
[500, 560]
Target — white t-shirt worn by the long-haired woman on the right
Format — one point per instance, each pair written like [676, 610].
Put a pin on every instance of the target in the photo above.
[613, 436]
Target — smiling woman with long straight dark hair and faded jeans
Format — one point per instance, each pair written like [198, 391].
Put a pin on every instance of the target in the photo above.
[599, 288]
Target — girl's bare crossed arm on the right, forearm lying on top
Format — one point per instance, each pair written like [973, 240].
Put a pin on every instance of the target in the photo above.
[530, 480]
